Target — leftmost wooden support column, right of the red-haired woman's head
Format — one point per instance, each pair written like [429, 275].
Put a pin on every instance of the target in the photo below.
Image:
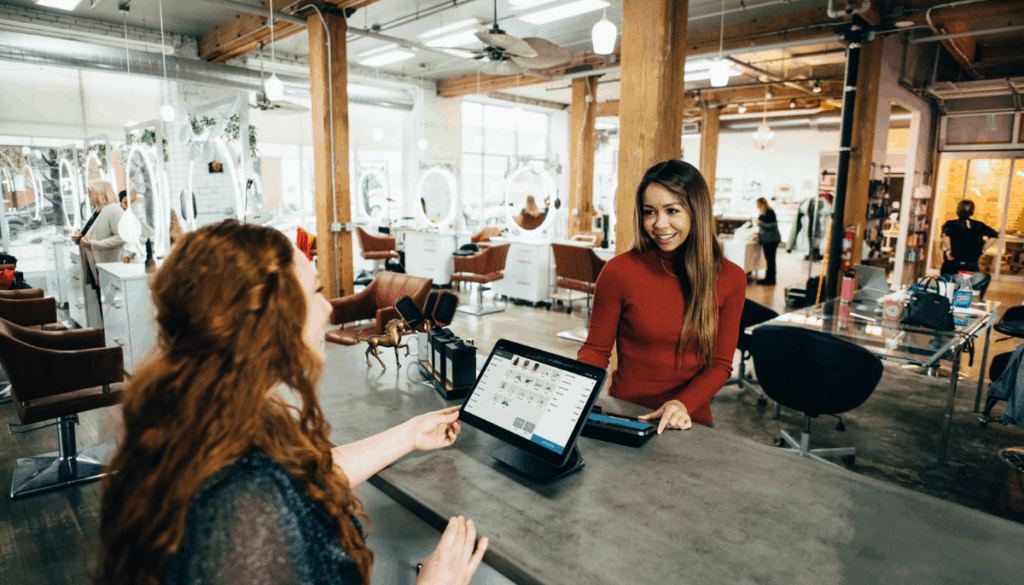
[330, 91]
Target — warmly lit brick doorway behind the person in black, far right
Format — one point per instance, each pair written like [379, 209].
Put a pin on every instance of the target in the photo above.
[995, 182]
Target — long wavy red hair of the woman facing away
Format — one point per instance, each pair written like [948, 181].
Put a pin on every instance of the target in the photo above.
[231, 312]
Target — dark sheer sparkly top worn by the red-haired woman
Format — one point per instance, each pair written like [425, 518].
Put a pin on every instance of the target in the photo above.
[251, 524]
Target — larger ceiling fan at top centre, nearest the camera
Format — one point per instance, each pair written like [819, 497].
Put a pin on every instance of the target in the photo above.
[509, 56]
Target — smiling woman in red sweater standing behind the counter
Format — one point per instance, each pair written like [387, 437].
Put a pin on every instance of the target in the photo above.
[671, 305]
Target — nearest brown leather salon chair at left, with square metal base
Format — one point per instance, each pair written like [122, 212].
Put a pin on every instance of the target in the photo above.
[55, 375]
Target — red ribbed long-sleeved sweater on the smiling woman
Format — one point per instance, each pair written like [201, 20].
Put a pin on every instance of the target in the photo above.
[638, 305]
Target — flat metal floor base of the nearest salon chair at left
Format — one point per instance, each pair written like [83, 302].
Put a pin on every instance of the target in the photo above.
[50, 472]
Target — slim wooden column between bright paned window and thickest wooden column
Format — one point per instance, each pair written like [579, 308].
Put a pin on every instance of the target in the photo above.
[582, 115]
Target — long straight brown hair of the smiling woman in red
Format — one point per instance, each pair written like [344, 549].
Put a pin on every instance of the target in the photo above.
[698, 262]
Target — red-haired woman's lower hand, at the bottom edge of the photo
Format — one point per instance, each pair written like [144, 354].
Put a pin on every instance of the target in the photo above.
[456, 558]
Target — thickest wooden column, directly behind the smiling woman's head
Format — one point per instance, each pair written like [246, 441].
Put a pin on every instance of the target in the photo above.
[651, 109]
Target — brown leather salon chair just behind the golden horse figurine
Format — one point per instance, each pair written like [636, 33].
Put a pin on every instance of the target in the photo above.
[375, 303]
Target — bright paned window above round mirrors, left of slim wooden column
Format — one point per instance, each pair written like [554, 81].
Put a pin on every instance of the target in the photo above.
[494, 139]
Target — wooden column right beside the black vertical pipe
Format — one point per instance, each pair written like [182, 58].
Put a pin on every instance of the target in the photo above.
[863, 144]
